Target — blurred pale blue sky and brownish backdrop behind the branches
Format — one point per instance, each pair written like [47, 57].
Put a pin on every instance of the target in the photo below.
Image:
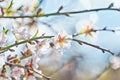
[78, 62]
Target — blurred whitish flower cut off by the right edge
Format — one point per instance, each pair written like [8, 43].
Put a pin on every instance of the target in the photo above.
[115, 62]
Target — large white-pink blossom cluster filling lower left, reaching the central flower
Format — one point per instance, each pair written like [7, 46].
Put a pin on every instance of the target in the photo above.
[27, 67]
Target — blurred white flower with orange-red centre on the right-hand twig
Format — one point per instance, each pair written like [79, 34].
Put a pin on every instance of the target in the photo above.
[87, 27]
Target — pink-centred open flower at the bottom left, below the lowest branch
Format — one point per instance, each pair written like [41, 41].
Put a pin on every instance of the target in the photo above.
[17, 72]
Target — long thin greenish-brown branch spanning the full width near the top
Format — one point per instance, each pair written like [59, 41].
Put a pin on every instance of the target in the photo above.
[62, 13]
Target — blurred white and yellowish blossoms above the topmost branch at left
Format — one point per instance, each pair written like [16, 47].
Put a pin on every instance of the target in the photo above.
[9, 8]
